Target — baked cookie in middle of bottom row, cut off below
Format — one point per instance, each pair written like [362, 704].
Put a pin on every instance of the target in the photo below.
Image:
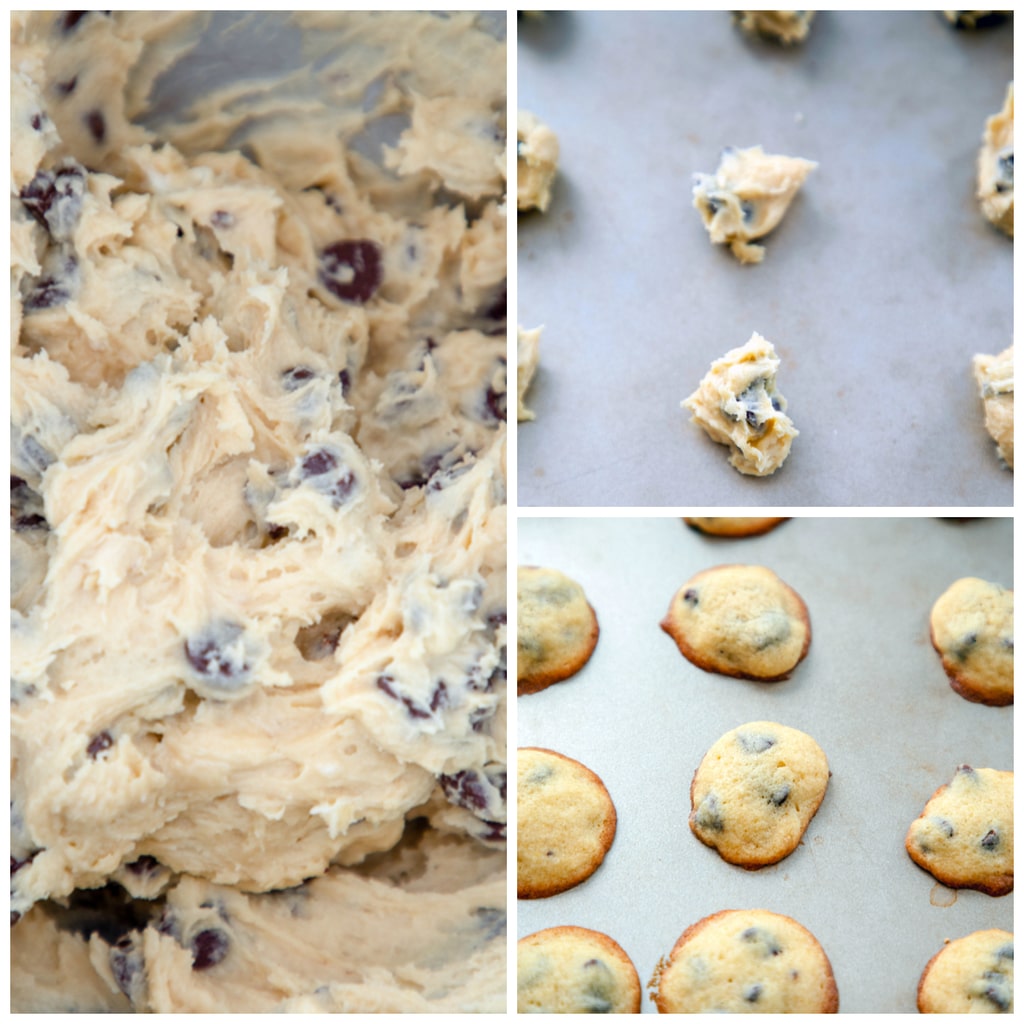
[746, 962]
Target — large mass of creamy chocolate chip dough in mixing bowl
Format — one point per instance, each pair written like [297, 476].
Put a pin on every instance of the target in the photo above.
[259, 399]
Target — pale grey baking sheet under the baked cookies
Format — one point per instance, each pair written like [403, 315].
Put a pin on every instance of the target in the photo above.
[872, 692]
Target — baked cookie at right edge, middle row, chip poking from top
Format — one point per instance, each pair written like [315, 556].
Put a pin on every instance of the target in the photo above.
[965, 835]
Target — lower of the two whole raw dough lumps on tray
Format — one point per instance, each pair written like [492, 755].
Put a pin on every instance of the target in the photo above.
[738, 404]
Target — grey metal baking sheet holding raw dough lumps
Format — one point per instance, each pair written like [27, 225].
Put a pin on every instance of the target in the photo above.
[877, 290]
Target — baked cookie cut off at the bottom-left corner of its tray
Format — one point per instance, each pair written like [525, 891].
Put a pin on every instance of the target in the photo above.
[571, 970]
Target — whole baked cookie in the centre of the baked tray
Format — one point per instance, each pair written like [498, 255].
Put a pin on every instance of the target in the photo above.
[756, 791]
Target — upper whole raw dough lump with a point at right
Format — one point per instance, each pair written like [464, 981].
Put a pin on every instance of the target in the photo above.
[748, 197]
